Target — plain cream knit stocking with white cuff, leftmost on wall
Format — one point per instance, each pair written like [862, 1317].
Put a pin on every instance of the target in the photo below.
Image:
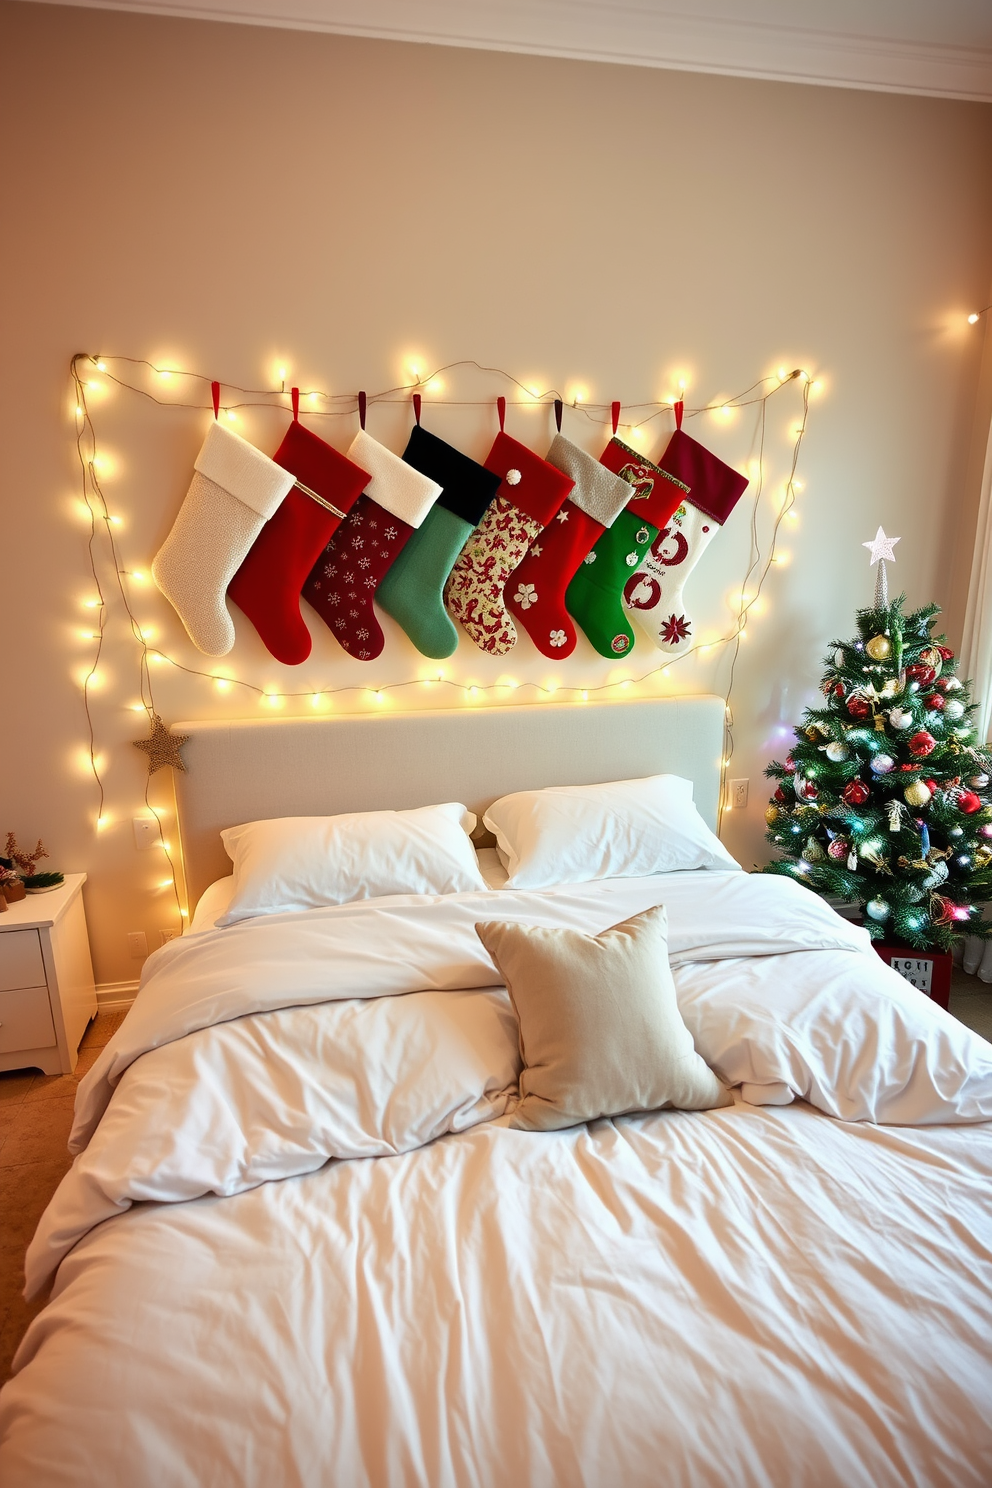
[234, 492]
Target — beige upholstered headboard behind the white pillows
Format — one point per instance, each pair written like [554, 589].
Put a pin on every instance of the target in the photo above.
[255, 770]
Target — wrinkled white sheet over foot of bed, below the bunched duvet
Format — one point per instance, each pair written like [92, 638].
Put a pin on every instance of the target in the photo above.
[759, 1298]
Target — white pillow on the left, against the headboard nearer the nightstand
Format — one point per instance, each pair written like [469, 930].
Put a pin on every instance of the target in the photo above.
[306, 862]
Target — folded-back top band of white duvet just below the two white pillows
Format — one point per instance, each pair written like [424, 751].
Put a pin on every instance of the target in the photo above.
[417, 943]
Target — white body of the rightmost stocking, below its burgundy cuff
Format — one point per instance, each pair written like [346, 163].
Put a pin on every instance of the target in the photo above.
[654, 596]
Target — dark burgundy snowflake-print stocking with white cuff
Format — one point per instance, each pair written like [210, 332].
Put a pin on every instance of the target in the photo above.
[346, 578]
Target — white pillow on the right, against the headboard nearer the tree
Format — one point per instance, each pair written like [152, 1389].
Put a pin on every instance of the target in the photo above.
[624, 830]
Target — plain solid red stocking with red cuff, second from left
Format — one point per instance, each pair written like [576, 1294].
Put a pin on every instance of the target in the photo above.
[268, 584]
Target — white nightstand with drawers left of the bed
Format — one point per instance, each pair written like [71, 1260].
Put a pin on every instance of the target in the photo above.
[47, 980]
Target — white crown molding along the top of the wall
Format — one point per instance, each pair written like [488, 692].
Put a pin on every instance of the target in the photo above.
[637, 35]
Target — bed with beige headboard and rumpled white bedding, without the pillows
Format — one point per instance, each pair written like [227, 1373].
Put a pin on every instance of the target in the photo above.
[304, 1245]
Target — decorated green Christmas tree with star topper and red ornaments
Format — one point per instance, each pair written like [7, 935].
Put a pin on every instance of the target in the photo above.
[884, 798]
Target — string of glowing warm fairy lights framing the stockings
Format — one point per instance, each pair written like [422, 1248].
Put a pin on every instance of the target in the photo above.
[642, 420]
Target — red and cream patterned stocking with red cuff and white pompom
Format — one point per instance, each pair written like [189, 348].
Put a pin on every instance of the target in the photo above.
[530, 493]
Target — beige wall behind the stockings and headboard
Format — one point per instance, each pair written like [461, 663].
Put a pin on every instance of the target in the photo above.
[233, 197]
